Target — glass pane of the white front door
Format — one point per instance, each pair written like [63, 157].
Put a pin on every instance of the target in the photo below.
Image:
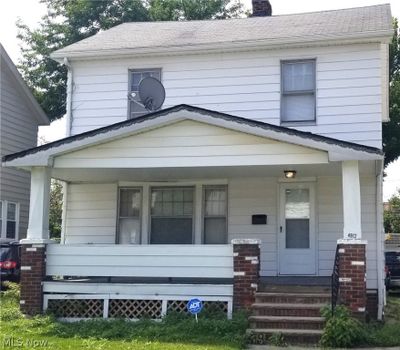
[297, 215]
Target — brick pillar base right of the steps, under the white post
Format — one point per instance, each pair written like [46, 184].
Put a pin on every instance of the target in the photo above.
[352, 276]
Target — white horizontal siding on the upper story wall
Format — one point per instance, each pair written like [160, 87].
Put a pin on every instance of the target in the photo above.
[348, 88]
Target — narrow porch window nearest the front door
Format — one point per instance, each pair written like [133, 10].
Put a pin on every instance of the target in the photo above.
[215, 215]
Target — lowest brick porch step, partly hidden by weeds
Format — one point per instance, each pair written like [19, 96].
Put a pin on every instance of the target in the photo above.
[293, 336]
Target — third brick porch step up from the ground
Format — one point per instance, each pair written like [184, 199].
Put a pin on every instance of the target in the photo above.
[287, 309]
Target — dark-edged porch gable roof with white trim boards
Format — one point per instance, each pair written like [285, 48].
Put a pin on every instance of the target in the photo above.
[337, 150]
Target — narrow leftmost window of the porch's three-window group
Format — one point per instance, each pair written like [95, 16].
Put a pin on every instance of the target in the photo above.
[130, 202]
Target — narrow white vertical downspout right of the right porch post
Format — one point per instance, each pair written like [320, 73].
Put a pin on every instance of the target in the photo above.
[379, 238]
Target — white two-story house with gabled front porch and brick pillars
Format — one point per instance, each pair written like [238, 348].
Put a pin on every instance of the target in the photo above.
[270, 136]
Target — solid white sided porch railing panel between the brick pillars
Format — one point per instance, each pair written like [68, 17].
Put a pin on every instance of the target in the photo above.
[168, 261]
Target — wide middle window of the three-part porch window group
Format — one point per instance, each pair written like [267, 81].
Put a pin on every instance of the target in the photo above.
[172, 215]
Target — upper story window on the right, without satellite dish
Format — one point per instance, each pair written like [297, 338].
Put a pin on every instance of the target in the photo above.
[298, 91]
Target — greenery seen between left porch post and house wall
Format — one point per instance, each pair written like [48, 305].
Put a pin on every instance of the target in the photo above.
[55, 210]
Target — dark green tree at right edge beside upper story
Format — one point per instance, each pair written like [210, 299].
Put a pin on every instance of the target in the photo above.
[391, 129]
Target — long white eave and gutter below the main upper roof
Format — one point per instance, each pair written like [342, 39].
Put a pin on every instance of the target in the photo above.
[382, 36]
